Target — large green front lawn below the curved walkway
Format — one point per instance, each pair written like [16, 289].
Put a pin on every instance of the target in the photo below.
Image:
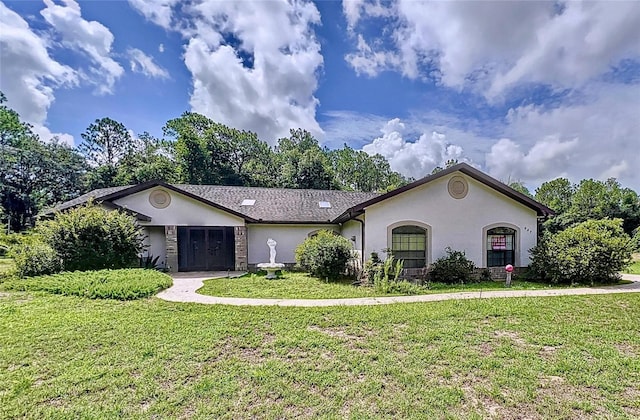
[556, 357]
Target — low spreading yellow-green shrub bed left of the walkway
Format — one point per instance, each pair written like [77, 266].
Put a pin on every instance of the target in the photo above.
[104, 284]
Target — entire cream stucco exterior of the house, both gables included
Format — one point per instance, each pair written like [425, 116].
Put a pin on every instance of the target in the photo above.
[459, 223]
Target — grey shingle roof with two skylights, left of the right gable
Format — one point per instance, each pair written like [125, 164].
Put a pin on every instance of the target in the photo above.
[272, 204]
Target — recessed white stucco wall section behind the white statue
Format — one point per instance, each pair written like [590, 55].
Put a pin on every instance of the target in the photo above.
[288, 238]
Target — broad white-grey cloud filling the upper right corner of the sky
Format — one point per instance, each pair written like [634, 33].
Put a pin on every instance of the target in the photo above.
[493, 46]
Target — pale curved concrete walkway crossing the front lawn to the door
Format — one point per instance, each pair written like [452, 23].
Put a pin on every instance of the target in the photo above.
[185, 286]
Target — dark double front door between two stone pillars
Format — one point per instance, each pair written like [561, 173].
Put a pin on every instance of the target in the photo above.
[205, 248]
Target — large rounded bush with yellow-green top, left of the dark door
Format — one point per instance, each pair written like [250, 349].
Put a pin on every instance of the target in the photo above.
[92, 238]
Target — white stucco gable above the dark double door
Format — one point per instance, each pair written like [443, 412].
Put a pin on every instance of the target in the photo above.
[182, 211]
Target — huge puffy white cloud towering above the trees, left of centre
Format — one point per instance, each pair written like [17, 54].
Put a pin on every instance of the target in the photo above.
[254, 65]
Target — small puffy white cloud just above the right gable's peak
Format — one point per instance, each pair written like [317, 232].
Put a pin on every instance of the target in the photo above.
[418, 158]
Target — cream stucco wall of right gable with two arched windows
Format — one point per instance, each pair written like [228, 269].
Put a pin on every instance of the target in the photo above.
[455, 223]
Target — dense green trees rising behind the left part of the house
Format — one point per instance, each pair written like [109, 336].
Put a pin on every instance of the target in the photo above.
[35, 175]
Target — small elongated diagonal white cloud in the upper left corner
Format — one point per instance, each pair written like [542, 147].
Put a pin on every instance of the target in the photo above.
[90, 37]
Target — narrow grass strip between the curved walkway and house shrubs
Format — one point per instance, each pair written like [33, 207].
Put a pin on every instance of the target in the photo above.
[303, 286]
